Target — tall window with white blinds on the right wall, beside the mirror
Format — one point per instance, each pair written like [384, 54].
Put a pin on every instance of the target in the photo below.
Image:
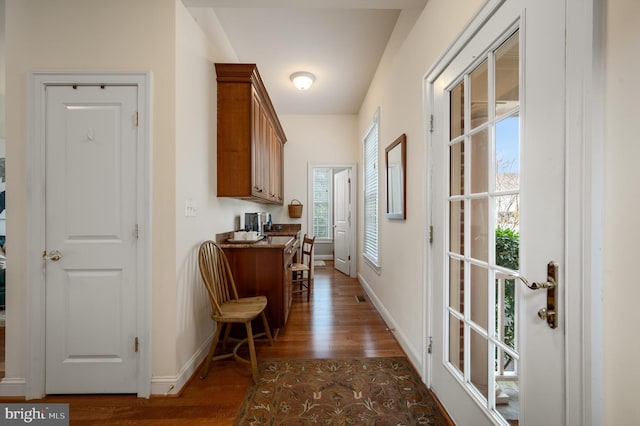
[370, 245]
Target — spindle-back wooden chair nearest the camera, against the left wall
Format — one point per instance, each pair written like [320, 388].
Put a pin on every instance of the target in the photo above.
[227, 308]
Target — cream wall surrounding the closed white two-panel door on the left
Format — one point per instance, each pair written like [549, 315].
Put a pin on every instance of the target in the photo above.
[90, 35]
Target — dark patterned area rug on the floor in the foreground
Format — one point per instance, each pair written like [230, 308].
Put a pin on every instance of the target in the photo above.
[368, 391]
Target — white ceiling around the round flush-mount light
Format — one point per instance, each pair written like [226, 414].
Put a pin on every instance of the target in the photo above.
[339, 41]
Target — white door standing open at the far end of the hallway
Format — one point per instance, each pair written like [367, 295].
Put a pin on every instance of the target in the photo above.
[342, 221]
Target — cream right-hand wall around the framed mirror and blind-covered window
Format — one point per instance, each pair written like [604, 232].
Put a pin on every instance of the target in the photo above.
[397, 90]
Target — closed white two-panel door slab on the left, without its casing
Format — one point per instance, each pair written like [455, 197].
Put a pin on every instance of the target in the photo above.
[91, 239]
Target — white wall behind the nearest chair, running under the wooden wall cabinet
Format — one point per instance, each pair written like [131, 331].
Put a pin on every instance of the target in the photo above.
[195, 164]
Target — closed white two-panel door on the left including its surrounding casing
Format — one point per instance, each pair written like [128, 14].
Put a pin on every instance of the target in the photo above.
[90, 186]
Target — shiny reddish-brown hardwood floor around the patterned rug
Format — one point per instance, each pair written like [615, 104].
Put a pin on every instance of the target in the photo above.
[332, 325]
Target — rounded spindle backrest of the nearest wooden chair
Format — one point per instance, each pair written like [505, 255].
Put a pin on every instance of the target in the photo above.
[216, 275]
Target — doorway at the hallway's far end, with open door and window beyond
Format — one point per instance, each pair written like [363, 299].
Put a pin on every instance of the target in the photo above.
[323, 219]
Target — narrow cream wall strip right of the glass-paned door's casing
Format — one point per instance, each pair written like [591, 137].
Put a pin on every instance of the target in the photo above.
[622, 203]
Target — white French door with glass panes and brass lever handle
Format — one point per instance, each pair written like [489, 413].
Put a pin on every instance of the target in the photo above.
[497, 200]
